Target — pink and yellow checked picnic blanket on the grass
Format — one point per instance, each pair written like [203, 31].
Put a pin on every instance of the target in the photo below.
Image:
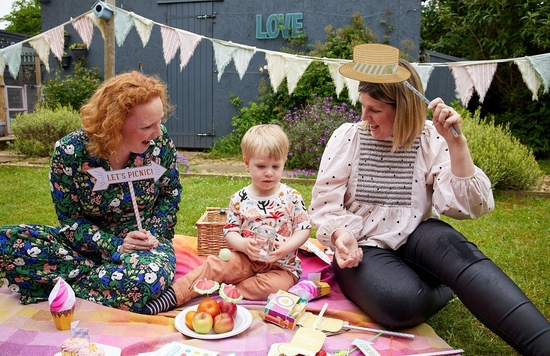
[29, 329]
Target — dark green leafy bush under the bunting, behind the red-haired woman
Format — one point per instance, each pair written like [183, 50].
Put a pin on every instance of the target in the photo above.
[73, 90]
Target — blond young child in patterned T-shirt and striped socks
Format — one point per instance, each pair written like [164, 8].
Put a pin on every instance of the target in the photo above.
[265, 203]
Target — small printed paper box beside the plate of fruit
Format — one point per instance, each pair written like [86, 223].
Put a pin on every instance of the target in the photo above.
[284, 309]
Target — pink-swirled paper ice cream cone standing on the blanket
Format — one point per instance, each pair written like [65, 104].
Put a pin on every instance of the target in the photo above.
[62, 300]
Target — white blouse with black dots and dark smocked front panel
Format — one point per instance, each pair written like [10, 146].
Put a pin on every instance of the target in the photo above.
[380, 197]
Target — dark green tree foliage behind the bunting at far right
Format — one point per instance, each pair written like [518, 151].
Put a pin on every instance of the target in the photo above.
[496, 29]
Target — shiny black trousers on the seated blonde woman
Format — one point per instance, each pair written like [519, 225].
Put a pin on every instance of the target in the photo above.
[403, 288]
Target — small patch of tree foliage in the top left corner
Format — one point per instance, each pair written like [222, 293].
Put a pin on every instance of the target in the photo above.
[25, 17]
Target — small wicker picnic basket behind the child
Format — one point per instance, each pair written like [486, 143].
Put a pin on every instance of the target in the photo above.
[210, 239]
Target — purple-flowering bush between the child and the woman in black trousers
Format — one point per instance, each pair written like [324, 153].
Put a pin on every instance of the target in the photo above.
[310, 127]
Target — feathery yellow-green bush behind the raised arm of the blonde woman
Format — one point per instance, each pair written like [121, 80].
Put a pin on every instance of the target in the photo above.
[507, 162]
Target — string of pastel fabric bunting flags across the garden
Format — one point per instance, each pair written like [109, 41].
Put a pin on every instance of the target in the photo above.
[468, 75]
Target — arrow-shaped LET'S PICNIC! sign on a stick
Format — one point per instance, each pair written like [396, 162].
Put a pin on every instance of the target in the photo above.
[105, 178]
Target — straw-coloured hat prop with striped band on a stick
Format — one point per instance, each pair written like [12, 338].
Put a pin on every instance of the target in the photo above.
[375, 63]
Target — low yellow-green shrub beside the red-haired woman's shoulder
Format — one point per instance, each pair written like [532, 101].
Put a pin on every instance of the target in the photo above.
[36, 133]
